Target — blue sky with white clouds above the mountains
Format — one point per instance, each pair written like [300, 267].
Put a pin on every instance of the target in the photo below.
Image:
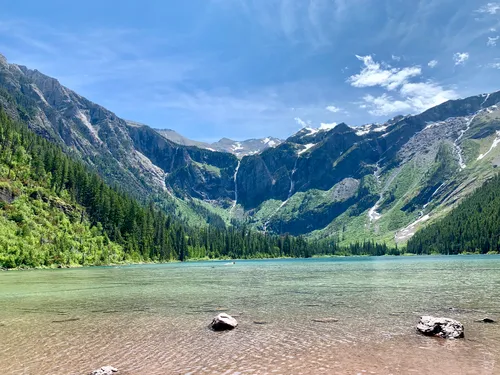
[255, 68]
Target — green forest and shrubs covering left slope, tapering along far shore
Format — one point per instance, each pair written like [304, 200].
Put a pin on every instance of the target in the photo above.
[55, 211]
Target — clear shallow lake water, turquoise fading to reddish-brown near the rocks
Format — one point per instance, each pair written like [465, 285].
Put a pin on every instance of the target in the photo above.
[153, 319]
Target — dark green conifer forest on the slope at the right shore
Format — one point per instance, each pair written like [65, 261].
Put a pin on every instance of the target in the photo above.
[473, 226]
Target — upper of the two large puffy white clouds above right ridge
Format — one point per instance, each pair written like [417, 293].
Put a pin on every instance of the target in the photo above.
[374, 75]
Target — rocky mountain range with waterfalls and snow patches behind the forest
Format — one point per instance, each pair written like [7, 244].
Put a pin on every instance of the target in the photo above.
[378, 181]
